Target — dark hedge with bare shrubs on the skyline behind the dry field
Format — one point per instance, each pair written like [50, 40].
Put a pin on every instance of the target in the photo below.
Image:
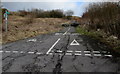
[39, 13]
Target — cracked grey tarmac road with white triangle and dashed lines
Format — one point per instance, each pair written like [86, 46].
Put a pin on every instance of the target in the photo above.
[64, 51]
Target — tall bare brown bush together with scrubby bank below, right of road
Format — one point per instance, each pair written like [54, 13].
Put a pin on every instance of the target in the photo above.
[104, 19]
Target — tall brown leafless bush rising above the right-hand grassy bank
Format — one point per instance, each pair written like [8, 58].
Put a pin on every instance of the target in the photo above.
[104, 16]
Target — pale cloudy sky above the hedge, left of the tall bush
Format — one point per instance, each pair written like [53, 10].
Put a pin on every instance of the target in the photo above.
[77, 7]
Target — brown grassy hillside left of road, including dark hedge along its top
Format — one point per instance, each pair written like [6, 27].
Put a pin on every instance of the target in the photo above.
[27, 23]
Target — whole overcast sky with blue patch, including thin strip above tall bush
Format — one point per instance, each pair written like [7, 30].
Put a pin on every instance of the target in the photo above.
[77, 6]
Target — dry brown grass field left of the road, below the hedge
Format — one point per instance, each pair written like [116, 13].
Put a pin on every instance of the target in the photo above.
[24, 27]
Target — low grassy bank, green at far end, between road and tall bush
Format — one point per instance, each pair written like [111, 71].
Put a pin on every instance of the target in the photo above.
[111, 41]
